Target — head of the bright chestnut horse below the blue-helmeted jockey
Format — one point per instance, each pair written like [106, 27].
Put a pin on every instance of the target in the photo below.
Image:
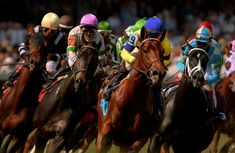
[150, 60]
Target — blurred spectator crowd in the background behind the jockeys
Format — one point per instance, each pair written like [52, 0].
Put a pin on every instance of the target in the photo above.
[181, 18]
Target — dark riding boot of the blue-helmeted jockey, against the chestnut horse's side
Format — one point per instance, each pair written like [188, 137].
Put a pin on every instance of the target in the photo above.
[120, 75]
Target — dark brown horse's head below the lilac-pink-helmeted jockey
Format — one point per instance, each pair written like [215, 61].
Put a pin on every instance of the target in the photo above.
[86, 64]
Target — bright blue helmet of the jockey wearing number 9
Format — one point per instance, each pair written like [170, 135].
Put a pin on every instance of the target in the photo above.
[154, 25]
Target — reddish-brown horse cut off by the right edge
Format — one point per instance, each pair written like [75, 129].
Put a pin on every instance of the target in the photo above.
[226, 87]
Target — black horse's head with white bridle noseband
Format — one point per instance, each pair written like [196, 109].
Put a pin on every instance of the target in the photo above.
[196, 63]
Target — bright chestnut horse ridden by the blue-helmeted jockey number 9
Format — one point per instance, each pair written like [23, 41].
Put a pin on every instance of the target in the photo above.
[127, 122]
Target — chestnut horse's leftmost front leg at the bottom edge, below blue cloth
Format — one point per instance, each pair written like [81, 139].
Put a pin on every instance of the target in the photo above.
[104, 139]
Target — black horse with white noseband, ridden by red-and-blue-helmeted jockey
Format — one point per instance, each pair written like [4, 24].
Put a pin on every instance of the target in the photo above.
[186, 124]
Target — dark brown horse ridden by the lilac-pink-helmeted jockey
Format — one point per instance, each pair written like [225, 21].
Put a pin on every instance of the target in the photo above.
[68, 102]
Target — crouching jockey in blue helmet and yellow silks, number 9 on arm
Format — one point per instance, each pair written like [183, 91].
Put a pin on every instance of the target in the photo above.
[152, 28]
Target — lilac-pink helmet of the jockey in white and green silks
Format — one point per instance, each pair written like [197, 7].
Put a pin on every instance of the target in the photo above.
[89, 20]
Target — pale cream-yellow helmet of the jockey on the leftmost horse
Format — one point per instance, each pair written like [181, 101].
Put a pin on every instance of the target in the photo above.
[51, 21]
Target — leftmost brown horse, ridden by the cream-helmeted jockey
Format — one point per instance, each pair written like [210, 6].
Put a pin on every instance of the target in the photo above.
[19, 102]
